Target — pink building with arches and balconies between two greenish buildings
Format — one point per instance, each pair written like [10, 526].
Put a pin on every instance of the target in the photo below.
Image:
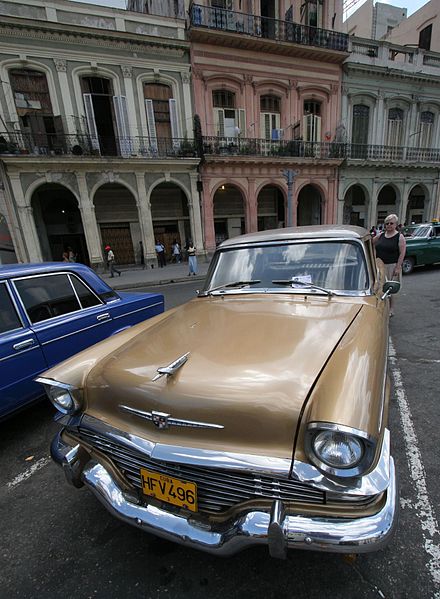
[267, 89]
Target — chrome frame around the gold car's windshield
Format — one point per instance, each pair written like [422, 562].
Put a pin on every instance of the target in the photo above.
[254, 244]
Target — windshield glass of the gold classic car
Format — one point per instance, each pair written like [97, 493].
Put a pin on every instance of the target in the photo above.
[332, 265]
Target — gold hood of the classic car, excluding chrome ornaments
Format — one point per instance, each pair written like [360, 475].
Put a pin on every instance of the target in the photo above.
[253, 361]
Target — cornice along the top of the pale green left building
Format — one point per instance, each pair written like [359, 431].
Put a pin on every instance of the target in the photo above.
[75, 35]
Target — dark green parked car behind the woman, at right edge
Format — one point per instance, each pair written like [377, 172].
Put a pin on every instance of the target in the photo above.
[423, 247]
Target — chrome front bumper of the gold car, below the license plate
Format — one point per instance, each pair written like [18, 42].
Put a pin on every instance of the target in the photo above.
[276, 529]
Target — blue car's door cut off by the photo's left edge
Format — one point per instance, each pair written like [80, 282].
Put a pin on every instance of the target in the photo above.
[21, 356]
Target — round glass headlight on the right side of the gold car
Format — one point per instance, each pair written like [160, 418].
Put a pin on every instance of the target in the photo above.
[338, 449]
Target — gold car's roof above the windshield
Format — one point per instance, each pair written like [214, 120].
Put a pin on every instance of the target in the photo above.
[299, 233]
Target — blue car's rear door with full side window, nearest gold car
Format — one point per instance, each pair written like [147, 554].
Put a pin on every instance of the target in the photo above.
[65, 314]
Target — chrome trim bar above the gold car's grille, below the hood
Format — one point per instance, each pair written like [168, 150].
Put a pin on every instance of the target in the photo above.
[373, 483]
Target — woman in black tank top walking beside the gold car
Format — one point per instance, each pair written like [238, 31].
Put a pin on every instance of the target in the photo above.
[390, 248]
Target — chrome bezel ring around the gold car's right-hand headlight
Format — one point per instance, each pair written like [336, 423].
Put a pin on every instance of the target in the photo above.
[359, 438]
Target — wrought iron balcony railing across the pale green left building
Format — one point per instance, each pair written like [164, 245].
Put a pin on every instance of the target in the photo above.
[84, 145]
